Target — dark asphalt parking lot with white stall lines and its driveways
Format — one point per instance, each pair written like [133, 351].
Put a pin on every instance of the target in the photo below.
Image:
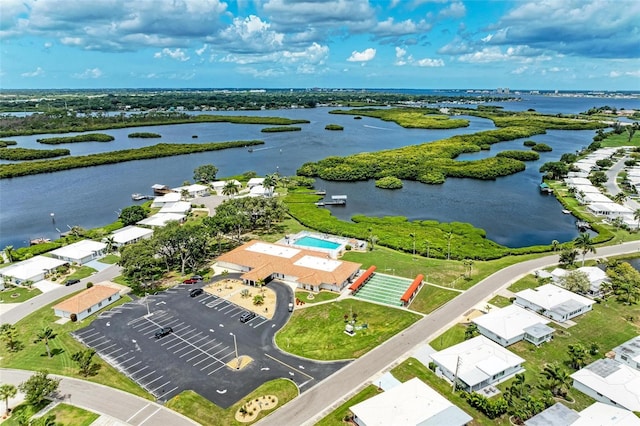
[195, 354]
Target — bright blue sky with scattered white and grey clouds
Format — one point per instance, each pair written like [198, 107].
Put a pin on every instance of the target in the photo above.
[425, 44]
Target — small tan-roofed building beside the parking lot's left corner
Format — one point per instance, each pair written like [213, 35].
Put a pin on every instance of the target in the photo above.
[87, 302]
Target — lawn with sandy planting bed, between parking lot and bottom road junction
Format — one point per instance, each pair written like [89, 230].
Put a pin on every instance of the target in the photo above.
[207, 413]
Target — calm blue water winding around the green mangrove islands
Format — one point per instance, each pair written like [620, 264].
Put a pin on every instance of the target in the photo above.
[510, 209]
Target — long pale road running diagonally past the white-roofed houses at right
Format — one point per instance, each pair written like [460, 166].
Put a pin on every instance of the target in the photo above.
[324, 397]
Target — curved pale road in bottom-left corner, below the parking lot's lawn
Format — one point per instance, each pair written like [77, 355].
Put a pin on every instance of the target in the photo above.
[123, 406]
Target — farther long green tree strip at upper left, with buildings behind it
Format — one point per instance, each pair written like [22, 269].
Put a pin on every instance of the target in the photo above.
[65, 123]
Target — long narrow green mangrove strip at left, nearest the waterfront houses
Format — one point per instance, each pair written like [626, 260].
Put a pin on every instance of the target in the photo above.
[155, 151]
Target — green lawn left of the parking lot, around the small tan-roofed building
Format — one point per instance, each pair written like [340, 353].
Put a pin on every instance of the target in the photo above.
[34, 357]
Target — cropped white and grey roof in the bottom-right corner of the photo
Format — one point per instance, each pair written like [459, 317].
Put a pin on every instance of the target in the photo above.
[597, 414]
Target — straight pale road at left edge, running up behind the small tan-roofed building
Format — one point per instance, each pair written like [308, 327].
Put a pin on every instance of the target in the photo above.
[17, 313]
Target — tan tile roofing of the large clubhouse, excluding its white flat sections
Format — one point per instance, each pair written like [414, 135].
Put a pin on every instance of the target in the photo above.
[262, 265]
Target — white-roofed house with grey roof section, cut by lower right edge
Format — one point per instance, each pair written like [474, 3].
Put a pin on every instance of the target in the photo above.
[611, 382]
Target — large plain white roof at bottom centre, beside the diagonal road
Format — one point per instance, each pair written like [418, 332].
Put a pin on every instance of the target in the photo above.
[411, 403]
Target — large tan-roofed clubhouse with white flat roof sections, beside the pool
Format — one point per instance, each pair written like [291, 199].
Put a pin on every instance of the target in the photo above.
[262, 261]
